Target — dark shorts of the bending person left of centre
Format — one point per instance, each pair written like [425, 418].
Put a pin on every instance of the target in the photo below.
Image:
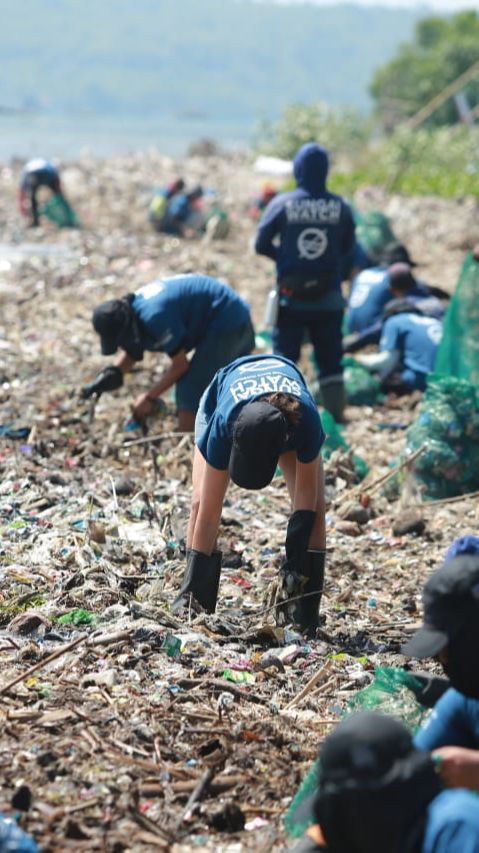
[212, 353]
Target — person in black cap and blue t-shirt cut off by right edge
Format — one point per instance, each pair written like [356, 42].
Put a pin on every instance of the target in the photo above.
[450, 634]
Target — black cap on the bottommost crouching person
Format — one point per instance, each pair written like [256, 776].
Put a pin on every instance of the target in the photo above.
[363, 750]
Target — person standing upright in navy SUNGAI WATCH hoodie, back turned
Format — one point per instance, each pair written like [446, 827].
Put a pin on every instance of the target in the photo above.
[309, 233]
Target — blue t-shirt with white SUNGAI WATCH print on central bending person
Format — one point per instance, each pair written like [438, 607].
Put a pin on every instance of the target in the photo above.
[247, 379]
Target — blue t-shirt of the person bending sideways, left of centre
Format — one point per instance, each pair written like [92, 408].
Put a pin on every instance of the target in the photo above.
[179, 312]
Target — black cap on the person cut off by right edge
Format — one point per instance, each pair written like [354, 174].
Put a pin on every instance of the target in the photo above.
[451, 601]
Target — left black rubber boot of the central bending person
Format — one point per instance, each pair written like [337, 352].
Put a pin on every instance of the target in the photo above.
[200, 582]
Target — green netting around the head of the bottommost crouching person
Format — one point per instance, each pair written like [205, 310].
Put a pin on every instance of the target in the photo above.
[391, 692]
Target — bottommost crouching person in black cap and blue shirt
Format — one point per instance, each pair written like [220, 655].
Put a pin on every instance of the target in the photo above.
[378, 794]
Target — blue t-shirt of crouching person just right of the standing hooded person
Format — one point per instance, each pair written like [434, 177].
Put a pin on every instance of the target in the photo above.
[369, 294]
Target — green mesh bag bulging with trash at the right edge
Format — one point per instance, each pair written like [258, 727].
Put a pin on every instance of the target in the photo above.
[448, 423]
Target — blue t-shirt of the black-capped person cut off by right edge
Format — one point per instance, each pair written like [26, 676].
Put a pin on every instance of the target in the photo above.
[454, 721]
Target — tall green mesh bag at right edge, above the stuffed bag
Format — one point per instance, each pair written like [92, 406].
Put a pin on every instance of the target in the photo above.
[458, 353]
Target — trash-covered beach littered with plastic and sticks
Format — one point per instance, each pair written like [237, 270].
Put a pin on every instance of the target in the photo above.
[123, 728]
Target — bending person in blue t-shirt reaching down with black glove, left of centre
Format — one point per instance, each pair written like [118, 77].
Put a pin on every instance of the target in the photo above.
[174, 316]
